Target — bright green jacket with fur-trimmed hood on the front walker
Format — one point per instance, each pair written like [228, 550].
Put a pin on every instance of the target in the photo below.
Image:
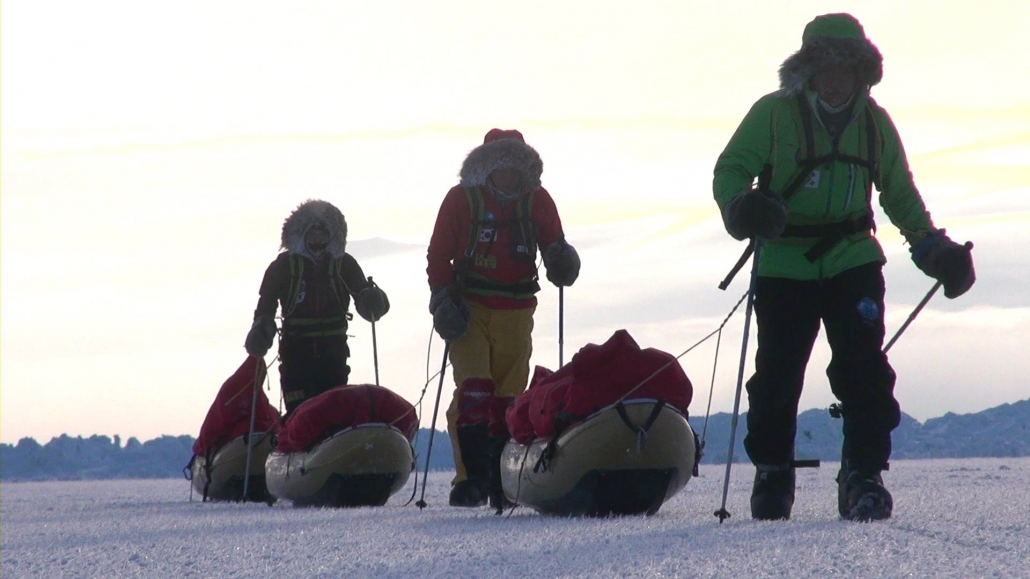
[784, 130]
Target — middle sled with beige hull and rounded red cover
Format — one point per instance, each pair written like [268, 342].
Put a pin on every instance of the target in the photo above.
[347, 448]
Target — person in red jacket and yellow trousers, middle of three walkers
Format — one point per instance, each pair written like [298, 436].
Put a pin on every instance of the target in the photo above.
[483, 274]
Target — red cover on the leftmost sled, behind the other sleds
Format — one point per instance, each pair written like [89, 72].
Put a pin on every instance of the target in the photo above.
[229, 417]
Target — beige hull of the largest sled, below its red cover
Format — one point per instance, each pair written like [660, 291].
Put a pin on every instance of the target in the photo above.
[628, 459]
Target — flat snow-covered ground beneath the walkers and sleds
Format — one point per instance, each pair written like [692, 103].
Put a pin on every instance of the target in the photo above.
[953, 519]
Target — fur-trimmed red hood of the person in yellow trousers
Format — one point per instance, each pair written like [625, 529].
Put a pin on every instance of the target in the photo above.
[501, 150]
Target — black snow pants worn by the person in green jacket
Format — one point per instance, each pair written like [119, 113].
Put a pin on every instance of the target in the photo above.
[789, 312]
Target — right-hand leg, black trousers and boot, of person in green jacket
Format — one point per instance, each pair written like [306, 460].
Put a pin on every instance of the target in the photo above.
[864, 381]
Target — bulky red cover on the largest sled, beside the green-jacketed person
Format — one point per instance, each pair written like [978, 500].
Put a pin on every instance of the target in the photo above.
[597, 378]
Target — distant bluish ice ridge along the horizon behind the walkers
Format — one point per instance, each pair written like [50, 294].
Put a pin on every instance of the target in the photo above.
[1004, 431]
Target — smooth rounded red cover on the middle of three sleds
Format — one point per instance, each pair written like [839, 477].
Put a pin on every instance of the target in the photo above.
[342, 407]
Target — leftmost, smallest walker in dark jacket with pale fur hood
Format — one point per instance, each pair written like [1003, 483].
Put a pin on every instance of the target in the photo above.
[314, 280]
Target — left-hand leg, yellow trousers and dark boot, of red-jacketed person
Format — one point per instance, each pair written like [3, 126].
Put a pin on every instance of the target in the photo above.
[468, 416]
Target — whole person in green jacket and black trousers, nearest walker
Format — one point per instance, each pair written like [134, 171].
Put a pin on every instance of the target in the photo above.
[818, 146]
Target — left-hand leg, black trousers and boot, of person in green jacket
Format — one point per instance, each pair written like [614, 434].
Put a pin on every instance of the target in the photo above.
[788, 325]
